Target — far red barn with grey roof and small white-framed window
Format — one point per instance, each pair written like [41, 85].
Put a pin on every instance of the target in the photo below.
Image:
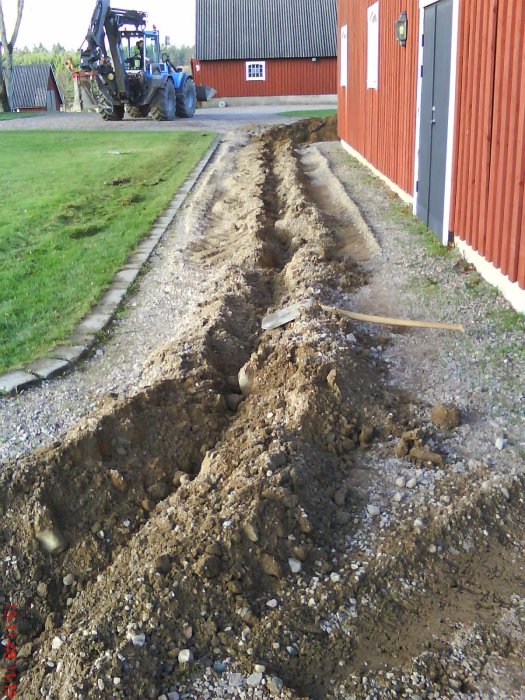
[255, 48]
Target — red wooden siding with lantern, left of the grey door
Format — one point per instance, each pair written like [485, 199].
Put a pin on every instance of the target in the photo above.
[380, 124]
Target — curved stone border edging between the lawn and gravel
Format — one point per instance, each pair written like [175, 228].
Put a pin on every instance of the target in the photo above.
[82, 339]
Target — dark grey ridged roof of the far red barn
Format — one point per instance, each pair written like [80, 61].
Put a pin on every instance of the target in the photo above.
[251, 29]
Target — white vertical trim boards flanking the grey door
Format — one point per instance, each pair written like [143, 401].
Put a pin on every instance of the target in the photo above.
[444, 233]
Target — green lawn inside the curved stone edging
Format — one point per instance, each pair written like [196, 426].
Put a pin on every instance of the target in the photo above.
[74, 206]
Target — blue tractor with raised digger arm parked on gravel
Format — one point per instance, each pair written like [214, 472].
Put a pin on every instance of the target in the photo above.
[128, 72]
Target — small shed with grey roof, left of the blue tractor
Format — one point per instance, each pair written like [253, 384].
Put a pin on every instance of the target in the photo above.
[35, 89]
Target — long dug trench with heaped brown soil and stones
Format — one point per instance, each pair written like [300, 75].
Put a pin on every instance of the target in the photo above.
[217, 510]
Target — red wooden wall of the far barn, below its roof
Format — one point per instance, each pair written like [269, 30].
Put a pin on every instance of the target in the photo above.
[283, 77]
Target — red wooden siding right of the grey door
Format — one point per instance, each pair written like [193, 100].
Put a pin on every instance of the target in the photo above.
[489, 159]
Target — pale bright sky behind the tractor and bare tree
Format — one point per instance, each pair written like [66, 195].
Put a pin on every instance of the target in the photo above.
[66, 22]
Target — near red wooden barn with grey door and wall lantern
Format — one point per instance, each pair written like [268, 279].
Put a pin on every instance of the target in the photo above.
[430, 96]
